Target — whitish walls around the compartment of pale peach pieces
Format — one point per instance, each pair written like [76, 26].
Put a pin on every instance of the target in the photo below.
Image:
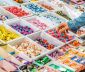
[32, 42]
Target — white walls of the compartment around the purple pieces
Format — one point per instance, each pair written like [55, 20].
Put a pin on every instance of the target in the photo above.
[23, 23]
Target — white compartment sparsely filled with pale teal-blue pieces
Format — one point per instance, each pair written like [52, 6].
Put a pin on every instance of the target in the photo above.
[52, 17]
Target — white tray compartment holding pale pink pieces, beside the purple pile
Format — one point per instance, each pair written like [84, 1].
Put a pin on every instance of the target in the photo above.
[42, 20]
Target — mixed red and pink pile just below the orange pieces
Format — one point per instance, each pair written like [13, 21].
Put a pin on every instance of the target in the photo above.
[61, 36]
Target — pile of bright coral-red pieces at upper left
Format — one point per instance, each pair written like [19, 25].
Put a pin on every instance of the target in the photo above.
[17, 11]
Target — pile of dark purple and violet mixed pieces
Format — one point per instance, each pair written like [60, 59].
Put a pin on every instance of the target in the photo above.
[25, 30]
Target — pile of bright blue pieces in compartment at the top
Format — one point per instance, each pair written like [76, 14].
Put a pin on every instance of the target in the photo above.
[35, 8]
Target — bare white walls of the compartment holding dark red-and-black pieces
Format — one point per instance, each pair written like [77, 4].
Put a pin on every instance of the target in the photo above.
[45, 36]
